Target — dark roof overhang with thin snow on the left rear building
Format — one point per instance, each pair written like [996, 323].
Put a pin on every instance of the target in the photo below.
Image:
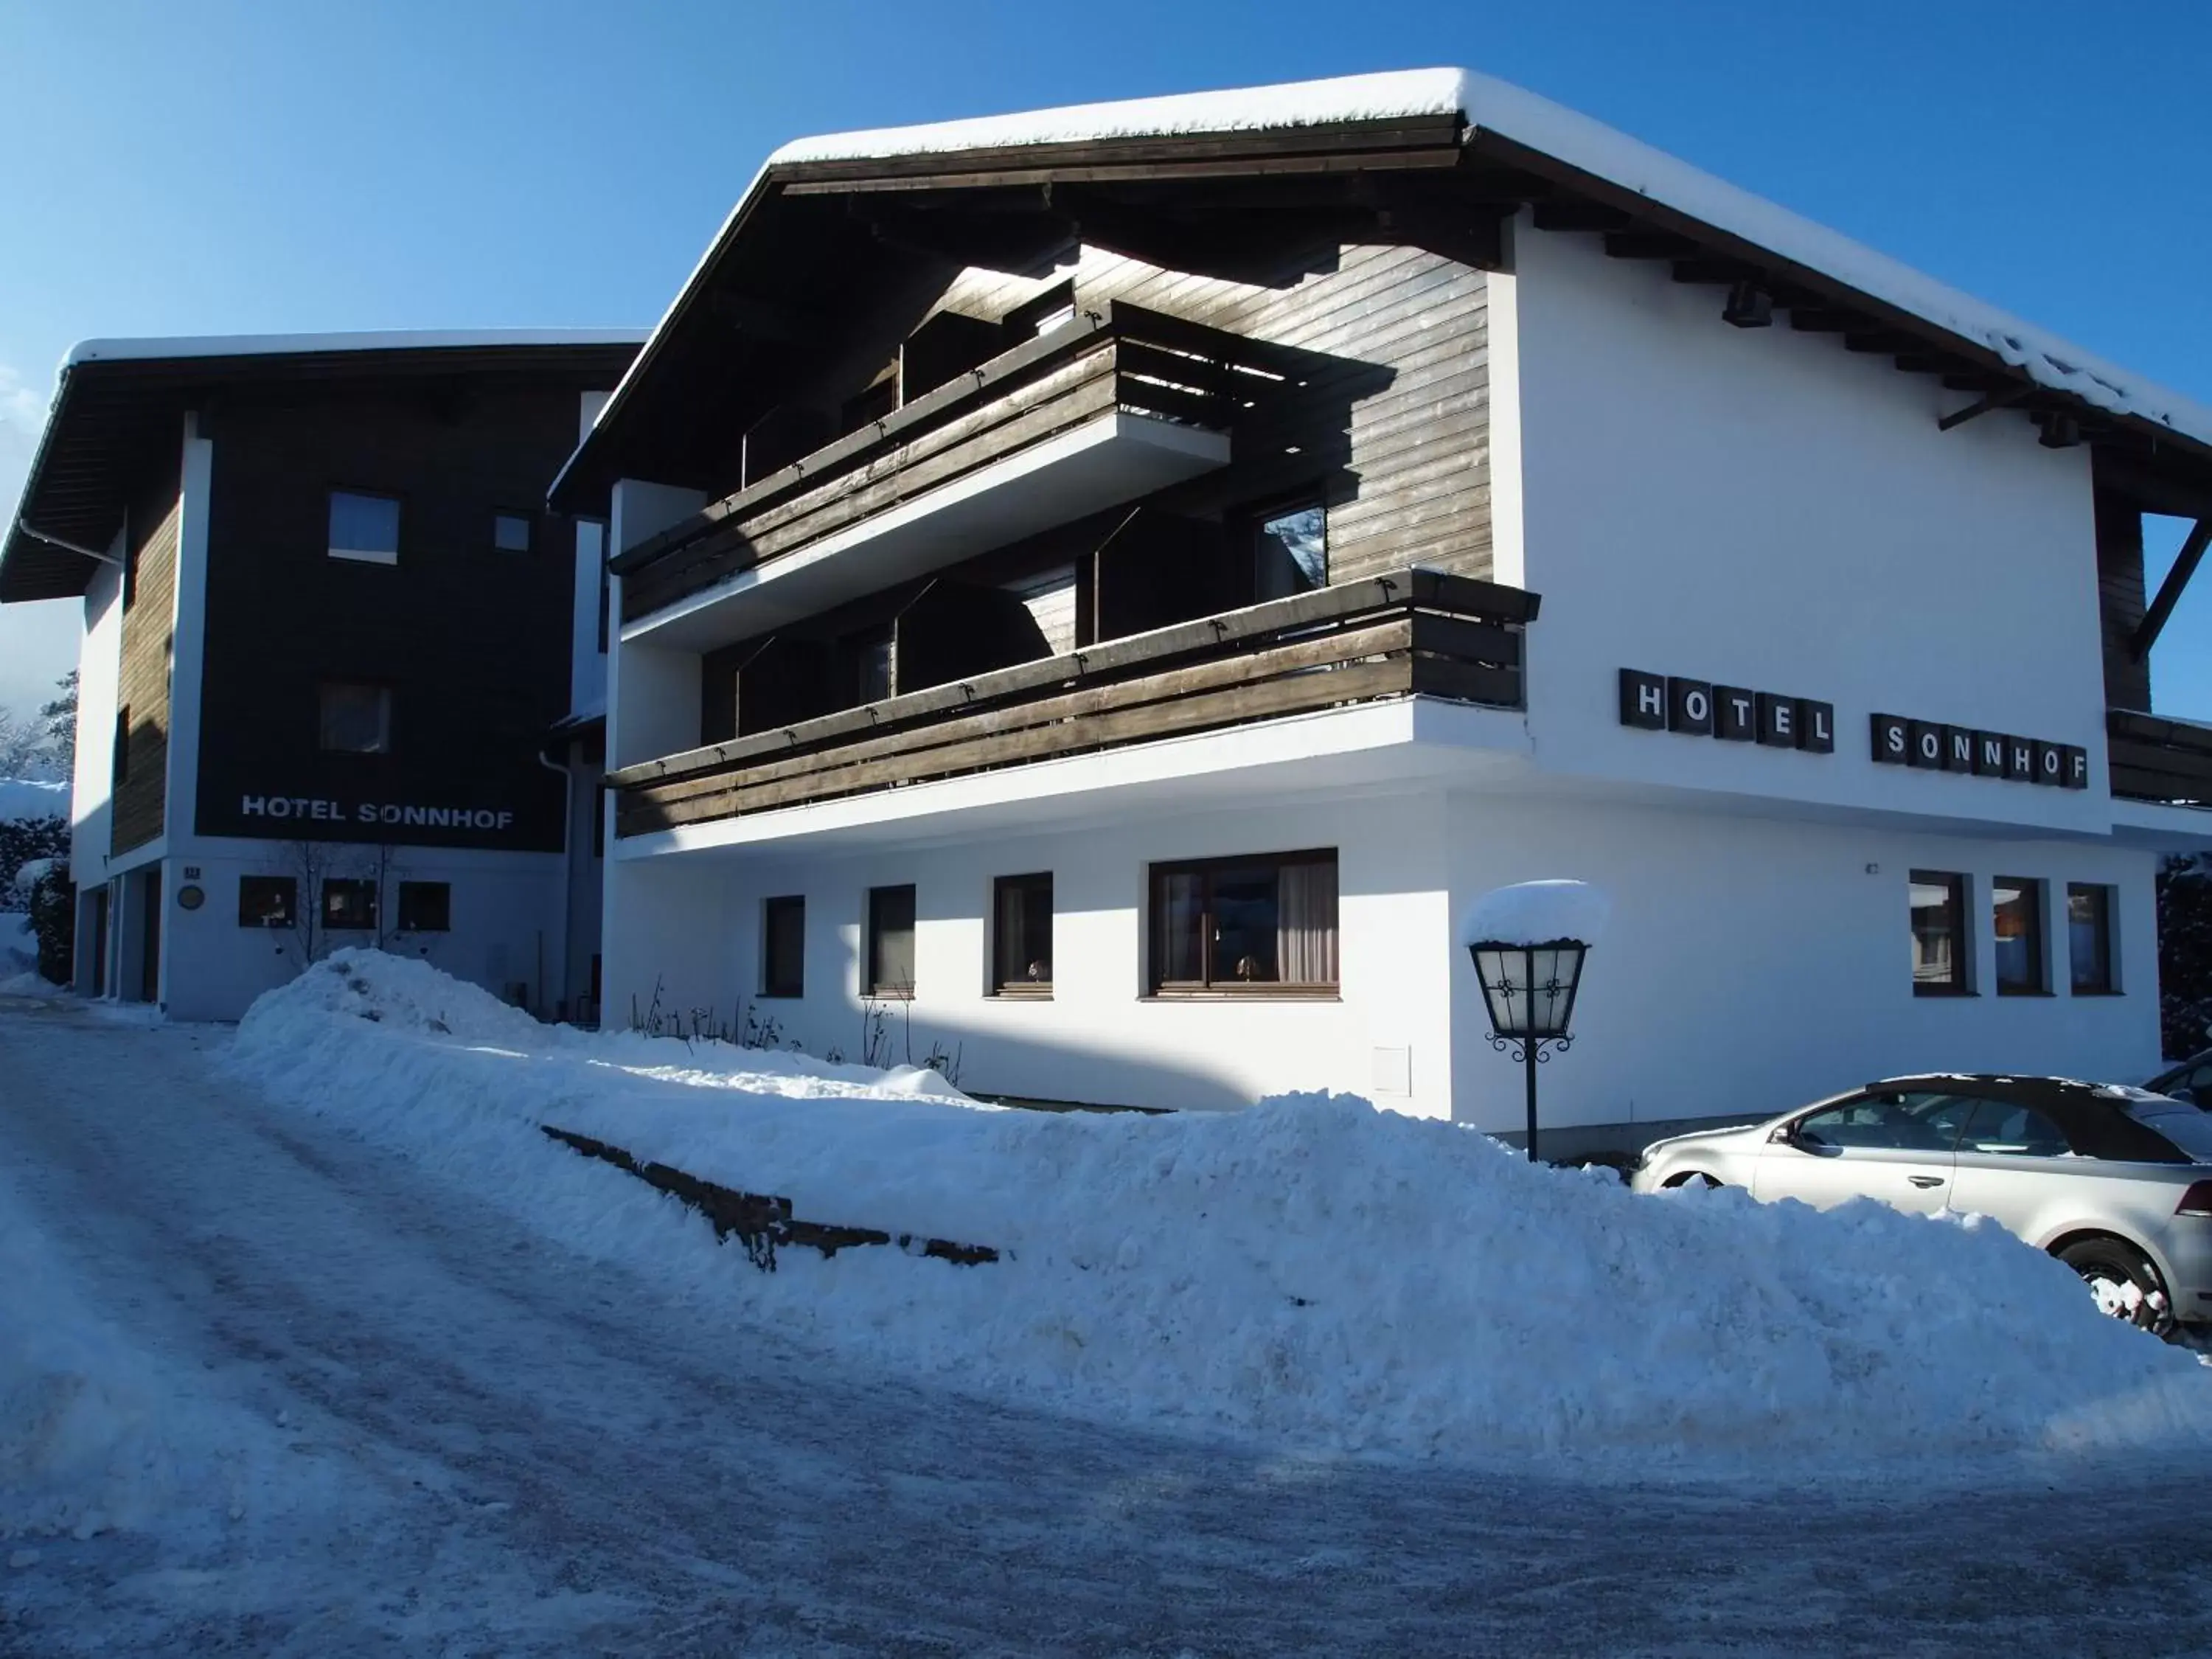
[121, 401]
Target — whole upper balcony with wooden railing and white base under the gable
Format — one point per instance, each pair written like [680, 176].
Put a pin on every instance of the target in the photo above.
[1094, 415]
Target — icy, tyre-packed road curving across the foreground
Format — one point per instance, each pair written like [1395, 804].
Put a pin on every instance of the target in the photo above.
[486, 1448]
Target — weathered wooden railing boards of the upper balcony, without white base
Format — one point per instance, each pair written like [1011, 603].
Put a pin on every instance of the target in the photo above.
[1120, 357]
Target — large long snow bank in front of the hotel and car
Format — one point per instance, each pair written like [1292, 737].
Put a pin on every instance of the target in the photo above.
[1315, 1271]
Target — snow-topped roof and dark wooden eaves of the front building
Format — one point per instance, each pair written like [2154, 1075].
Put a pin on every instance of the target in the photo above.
[1507, 145]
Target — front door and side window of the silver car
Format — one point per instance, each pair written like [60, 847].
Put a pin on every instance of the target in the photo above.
[1884, 1145]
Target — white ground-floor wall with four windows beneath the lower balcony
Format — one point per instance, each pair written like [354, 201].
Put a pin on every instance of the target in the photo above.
[1098, 1039]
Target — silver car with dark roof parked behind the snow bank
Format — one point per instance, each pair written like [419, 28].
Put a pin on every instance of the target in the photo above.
[2114, 1182]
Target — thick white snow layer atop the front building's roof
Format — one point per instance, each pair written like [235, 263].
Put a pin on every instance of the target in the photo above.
[1580, 143]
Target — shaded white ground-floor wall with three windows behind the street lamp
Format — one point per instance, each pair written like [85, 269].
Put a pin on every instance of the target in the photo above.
[1760, 963]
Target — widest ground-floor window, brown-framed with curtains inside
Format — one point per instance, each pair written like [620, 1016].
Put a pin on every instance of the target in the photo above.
[1246, 924]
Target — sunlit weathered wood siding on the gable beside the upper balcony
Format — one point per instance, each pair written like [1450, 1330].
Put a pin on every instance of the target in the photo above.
[1406, 461]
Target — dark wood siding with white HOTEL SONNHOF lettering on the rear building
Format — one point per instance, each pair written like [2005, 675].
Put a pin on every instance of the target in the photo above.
[472, 640]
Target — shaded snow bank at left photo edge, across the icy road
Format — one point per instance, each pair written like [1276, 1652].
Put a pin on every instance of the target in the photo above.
[96, 1434]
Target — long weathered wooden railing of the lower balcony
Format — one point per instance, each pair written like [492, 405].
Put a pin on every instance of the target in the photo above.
[1410, 634]
